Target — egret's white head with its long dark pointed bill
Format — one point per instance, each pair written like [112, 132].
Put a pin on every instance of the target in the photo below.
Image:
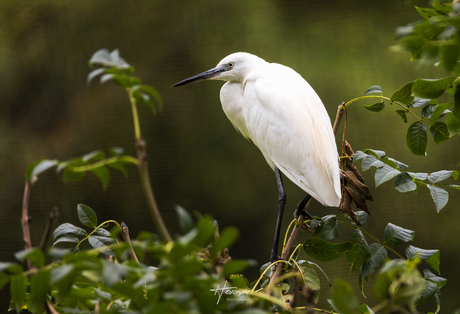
[234, 67]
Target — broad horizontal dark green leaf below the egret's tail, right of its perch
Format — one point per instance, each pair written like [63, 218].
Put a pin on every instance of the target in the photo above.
[325, 251]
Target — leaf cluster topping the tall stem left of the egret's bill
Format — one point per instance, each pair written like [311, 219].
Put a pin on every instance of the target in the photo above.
[114, 68]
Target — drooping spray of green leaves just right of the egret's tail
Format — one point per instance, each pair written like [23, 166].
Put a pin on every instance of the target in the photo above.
[389, 168]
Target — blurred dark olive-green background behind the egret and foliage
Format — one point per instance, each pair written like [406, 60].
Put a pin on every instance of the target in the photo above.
[197, 160]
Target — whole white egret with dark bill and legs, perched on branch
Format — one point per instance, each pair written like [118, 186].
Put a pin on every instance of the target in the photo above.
[274, 107]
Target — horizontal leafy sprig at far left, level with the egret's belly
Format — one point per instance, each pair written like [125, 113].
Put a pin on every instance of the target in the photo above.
[76, 168]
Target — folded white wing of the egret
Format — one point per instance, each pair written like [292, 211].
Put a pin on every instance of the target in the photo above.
[288, 122]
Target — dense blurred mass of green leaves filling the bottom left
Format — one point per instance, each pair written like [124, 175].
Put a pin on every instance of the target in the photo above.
[85, 281]
